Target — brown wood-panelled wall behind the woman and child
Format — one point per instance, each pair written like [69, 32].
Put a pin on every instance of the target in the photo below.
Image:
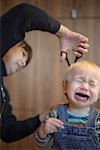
[38, 86]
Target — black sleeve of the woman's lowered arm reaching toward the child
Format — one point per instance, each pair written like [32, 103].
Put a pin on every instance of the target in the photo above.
[11, 128]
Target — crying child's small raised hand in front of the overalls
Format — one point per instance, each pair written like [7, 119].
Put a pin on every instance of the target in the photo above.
[50, 126]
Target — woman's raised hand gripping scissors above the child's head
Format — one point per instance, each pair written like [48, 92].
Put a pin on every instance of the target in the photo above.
[70, 40]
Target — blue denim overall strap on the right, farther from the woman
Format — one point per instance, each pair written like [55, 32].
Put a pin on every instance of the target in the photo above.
[92, 117]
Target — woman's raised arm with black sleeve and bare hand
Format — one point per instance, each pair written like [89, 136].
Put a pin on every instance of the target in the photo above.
[26, 17]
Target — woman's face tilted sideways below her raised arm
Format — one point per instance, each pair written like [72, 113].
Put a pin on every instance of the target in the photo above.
[15, 59]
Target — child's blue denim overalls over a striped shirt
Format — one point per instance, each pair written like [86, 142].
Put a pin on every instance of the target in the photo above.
[76, 138]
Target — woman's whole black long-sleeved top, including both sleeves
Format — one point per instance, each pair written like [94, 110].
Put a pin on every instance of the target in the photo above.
[14, 24]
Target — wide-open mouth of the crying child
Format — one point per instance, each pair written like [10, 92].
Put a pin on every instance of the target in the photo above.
[81, 97]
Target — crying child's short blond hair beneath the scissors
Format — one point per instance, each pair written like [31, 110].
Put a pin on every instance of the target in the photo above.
[82, 65]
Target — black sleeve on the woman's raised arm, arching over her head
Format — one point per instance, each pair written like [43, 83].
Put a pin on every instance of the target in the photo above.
[21, 19]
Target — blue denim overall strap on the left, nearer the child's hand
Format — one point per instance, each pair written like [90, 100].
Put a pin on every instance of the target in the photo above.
[62, 112]
